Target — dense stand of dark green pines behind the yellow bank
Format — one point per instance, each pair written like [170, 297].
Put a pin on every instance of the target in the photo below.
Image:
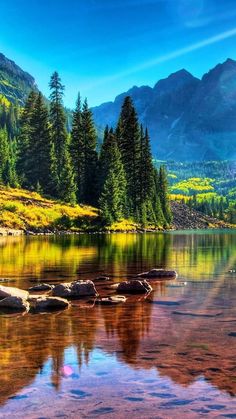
[39, 152]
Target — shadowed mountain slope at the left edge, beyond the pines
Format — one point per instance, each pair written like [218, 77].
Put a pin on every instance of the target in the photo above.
[15, 84]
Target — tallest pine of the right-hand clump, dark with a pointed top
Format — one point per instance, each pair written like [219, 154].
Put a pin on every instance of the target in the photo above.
[128, 137]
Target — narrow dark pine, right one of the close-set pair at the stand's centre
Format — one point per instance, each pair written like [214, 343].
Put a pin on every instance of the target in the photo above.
[88, 188]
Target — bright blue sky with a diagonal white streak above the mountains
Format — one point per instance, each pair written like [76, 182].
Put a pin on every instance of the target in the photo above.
[104, 47]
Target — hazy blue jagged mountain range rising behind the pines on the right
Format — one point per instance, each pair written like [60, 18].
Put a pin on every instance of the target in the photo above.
[188, 118]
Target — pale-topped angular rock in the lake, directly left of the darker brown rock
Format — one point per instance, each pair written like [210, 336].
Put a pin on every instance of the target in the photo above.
[75, 289]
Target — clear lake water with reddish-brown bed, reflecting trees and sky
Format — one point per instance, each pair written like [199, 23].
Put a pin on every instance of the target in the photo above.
[171, 354]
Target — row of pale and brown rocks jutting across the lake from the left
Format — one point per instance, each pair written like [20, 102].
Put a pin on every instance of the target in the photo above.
[59, 296]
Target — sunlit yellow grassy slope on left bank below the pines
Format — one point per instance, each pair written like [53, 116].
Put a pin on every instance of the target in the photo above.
[21, 209]
